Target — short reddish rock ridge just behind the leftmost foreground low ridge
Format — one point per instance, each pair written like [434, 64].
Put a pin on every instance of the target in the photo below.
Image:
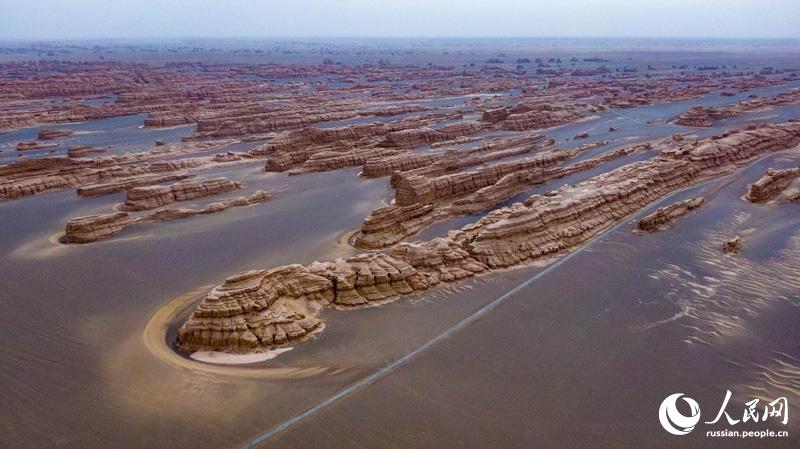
[155, 196]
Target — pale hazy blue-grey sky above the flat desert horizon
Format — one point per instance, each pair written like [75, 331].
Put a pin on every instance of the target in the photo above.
[24, 19]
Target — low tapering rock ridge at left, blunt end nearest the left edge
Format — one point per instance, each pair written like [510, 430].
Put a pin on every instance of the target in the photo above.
[92, 228]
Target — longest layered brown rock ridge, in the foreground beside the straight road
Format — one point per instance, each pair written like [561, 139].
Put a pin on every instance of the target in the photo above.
[228, 318]
